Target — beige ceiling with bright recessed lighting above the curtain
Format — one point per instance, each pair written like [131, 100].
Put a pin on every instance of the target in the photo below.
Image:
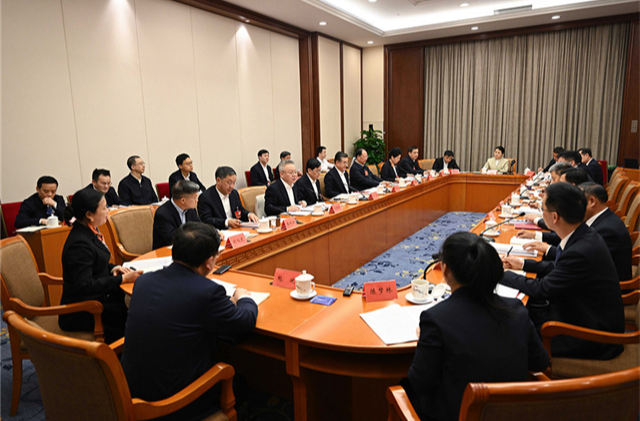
[394, 21]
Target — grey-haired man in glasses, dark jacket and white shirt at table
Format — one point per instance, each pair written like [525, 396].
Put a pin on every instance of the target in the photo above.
[280, 196]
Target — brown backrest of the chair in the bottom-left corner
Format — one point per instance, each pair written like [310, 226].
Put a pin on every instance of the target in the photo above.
[79, 380]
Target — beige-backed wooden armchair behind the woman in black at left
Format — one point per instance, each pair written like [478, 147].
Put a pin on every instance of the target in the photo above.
[25, 291]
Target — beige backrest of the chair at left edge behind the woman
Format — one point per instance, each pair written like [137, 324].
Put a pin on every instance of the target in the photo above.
[18, 274]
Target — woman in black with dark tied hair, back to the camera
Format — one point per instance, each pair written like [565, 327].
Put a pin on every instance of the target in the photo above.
[473, 336]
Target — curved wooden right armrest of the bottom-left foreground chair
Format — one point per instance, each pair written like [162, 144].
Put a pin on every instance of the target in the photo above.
[220, 372]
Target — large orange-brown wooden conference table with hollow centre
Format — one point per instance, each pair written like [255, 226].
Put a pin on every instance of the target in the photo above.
[326, 358]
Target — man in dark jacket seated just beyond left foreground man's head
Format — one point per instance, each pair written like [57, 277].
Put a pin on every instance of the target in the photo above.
[180, 209]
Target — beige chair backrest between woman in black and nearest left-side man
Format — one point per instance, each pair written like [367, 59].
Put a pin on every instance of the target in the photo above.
[133, 228]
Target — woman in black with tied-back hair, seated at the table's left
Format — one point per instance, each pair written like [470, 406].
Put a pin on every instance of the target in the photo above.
[86, 270]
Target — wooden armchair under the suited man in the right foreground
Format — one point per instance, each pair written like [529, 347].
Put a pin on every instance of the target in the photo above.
[562, 367]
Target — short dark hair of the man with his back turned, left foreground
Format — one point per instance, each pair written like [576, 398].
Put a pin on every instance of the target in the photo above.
[194, 242]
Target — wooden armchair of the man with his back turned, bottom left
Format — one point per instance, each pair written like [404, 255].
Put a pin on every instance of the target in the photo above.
[82, 380]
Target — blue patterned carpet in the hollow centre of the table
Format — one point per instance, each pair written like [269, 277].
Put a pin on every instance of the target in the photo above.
[408, 259]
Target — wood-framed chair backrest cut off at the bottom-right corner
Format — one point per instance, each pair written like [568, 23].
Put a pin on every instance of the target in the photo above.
[612, 396]
